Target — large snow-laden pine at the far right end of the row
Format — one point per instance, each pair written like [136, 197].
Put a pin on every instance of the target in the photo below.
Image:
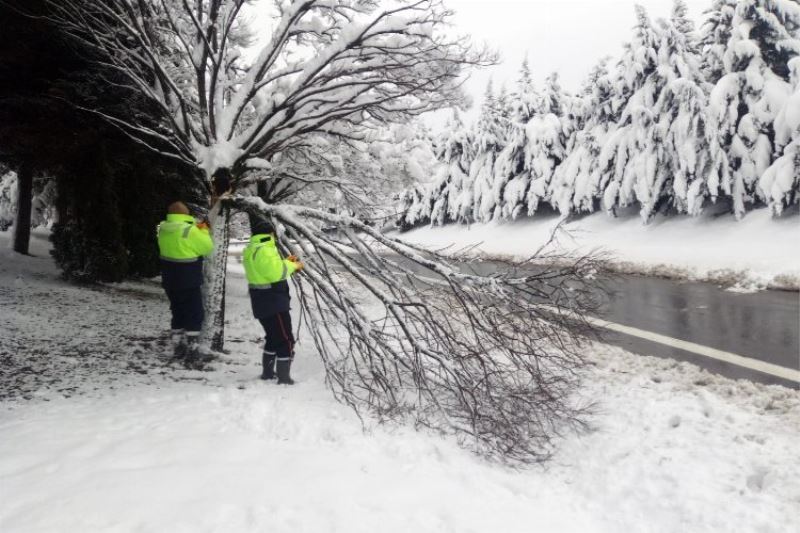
[746, 100]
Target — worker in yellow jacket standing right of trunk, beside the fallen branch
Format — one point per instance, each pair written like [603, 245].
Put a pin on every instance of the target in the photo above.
[267, 276]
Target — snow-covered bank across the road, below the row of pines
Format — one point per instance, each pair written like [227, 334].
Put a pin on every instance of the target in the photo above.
[757, 252]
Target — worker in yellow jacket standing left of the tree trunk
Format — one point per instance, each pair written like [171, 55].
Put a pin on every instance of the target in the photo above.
[182, 244]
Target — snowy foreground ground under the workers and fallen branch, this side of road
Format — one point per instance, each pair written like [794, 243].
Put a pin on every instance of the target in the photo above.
[113, 439]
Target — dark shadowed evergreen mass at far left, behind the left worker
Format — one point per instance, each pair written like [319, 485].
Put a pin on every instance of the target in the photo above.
[110, 192]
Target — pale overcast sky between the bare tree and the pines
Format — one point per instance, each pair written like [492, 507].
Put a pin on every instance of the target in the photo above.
[567, 36]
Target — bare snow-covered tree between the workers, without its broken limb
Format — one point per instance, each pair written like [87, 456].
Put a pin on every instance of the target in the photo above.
[326, 67]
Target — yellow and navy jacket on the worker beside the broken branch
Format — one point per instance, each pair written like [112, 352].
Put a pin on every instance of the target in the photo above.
[267, 274]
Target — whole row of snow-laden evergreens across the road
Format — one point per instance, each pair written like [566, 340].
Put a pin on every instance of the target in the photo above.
[686, 117]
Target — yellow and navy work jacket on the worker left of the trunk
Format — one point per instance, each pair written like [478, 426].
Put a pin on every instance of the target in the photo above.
[182, 246]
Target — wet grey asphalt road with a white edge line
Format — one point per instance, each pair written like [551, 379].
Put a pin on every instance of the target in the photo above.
[725, 332]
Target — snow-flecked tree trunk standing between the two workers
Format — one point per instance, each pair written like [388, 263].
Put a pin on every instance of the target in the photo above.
[215, 274]
